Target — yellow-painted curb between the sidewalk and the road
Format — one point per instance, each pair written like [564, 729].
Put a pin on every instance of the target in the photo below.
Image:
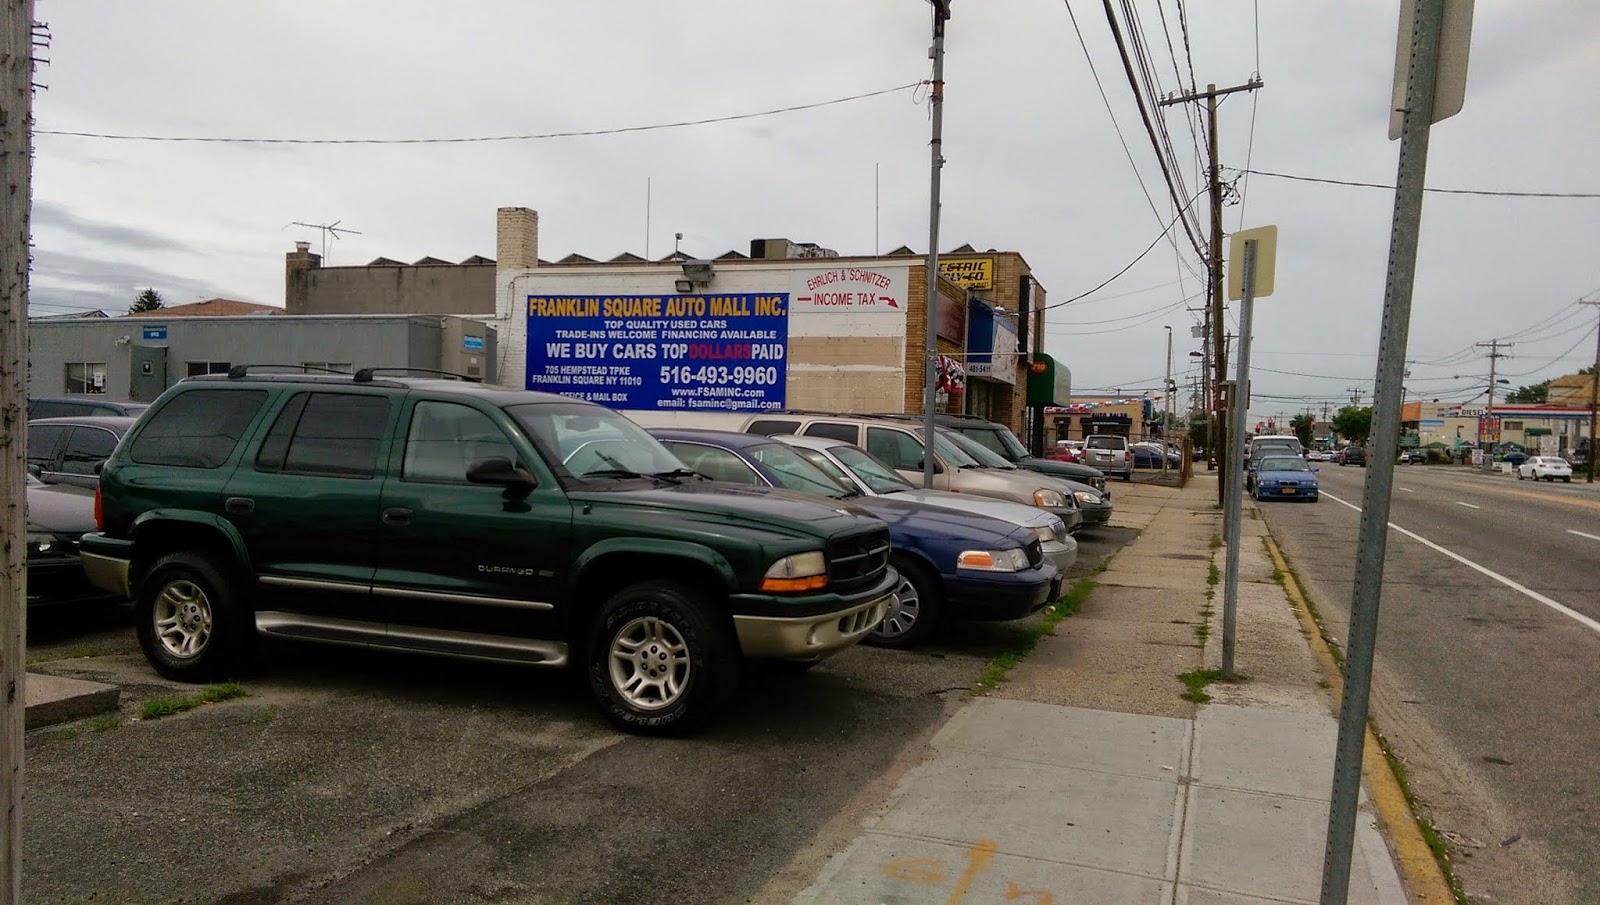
[1417, 863]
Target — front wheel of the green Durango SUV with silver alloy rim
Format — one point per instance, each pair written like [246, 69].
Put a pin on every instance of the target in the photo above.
[660, 661]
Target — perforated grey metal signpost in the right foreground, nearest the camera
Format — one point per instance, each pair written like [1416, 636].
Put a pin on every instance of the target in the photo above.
[1374, 540]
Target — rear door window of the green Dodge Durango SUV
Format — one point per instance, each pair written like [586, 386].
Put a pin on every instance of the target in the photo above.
[327, 434]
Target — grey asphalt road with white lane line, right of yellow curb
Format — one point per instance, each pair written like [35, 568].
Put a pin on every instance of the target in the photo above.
[1490, 693]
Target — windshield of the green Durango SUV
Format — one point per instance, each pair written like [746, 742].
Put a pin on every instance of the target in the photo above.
[593, 442]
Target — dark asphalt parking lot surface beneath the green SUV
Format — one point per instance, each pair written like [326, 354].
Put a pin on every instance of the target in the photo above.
[353, 776]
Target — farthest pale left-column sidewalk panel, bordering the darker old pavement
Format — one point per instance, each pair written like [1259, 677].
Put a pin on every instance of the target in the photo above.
[1068, 736]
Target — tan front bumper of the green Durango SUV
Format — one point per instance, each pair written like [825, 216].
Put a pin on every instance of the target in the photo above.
[814, 636]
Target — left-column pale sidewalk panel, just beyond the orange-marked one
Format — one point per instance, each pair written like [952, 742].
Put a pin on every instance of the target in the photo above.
[1073, 816]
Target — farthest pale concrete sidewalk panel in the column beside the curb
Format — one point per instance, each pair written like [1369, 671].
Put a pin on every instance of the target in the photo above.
[1265, 751]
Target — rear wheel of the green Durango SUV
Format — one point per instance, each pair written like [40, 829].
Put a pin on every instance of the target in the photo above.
[191, 621]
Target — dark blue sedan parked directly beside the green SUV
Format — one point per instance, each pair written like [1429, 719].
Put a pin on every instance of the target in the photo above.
[953, 565]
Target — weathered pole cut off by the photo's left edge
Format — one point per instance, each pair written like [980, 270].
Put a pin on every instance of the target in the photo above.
[17, 122]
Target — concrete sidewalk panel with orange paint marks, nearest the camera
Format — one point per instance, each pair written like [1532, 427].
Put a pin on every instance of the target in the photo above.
[900, 871]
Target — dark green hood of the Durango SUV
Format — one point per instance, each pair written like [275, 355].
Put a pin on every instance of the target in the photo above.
[783, 512]
